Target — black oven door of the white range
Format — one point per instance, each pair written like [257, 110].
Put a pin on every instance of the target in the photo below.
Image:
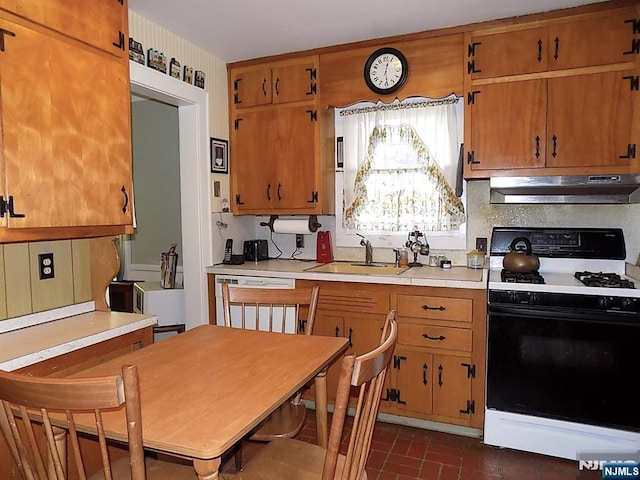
[569, 365]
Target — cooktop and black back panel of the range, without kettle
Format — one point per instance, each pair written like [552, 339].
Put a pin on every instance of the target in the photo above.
[579, 268]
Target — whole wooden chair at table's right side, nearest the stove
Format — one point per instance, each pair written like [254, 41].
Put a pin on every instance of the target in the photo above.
[289, 459]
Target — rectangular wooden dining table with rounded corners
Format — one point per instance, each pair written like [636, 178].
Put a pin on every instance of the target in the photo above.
[204, 390]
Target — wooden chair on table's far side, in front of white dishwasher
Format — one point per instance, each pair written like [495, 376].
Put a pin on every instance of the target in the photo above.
[276, 310]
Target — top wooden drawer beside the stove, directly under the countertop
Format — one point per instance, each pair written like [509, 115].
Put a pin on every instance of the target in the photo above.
[437, 308]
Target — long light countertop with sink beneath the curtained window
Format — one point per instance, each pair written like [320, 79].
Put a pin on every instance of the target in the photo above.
[456, 277]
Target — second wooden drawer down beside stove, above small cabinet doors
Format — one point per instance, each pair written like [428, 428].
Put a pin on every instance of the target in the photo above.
[448, 338]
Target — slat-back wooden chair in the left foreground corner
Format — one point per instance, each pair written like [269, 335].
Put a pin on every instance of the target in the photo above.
[37, 418]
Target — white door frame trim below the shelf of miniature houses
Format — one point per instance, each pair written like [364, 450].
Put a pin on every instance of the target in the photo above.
[193, 121]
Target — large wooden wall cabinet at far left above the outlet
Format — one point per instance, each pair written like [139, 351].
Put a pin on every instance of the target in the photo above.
[65, 163]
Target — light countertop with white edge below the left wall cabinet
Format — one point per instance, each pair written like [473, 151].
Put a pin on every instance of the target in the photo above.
[26, 346]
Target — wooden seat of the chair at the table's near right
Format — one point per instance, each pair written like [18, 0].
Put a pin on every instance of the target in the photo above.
[287, 459]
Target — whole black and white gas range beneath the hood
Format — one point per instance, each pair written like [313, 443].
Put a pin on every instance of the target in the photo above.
[556, 338]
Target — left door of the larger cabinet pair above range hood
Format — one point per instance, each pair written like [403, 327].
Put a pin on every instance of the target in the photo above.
[508, 125]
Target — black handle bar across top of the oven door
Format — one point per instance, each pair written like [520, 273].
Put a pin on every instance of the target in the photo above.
[565, 314]
